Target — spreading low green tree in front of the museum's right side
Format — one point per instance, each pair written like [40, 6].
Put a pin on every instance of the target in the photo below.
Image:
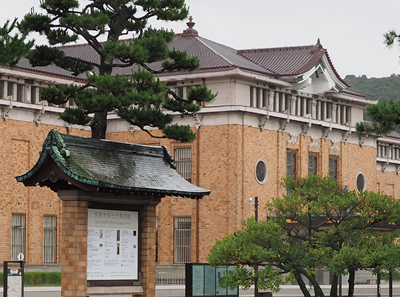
[317, 225]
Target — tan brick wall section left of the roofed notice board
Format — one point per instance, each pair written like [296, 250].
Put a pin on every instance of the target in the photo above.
[20, 145]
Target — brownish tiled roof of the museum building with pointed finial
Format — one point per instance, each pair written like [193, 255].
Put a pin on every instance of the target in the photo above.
[274, 62]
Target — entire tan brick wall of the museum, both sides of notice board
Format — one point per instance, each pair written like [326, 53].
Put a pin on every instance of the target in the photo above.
[224, 159]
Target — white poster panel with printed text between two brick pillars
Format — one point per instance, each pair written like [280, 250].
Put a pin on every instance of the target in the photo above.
[112, 245]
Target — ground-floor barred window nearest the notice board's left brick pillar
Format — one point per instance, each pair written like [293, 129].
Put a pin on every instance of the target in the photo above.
[49, 239]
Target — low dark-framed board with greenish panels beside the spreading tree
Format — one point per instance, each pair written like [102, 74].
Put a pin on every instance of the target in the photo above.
[202, 280]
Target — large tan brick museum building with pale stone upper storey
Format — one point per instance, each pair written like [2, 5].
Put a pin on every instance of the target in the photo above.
[279, 111]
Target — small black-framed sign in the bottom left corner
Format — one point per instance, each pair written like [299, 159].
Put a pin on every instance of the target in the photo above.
[13, 279]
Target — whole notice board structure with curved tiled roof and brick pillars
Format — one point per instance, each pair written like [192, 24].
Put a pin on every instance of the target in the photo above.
[109, 192]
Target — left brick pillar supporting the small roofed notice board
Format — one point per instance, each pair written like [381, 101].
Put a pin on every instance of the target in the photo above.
[74, 249]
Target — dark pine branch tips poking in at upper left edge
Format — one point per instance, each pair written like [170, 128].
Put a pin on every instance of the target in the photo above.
[13, 46]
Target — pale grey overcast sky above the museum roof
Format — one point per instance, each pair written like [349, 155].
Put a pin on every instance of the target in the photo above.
[351, 30]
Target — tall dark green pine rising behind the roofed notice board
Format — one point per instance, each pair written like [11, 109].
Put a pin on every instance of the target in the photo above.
[141, 99]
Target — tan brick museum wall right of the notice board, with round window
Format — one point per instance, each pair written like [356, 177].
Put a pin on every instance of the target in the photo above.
[226, 156]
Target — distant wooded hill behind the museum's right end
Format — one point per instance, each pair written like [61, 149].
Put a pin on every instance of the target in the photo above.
[375, 88]
